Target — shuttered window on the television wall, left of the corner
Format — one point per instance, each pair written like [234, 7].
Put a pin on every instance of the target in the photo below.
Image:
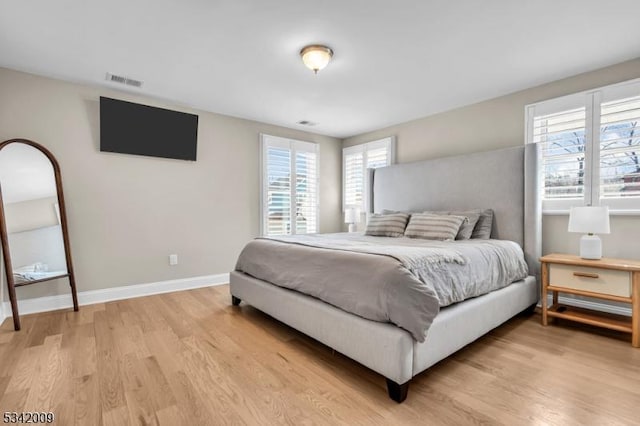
[289, 186]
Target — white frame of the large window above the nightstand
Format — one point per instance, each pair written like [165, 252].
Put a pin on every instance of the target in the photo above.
[591, 100]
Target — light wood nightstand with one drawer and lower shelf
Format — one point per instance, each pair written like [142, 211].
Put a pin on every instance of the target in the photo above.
[607, 279]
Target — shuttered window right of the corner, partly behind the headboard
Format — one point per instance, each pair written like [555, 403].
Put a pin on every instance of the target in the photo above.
[355, 162]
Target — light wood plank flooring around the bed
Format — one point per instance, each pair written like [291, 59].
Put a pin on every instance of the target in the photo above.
[190, 358]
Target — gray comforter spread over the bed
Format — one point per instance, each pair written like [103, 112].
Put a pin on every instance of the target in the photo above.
[399, 280]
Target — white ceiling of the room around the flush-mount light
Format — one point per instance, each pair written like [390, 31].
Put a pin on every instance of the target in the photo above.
[394, 60]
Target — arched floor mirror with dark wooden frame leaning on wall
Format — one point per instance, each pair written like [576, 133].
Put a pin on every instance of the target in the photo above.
[33, 220]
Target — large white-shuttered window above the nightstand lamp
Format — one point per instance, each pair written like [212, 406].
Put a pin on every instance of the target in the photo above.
[590, 144]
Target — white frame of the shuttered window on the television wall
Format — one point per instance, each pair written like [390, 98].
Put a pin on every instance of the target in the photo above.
[294, 145]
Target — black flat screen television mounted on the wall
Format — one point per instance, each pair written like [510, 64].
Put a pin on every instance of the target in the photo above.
[130, 128]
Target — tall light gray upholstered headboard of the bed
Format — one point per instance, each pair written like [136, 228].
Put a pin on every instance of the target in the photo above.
[504, 180]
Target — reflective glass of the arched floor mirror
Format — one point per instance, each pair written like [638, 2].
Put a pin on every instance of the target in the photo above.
[30, 205]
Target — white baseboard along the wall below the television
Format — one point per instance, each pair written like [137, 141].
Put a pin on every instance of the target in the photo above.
[63, 301]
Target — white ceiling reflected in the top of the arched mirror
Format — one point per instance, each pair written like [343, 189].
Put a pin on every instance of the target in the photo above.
[25, 174]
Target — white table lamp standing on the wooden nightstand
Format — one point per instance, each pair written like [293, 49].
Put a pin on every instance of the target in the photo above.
[590, 220]
